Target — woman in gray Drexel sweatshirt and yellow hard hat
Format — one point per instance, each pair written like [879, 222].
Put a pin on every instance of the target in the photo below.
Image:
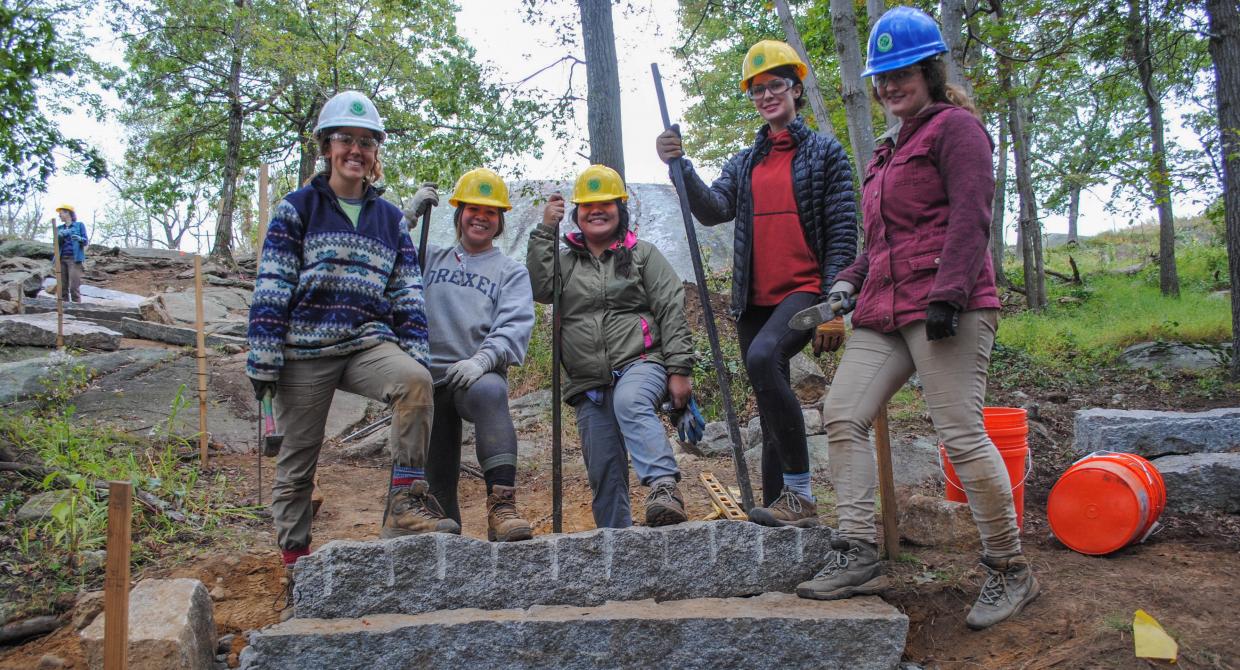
[480, 313]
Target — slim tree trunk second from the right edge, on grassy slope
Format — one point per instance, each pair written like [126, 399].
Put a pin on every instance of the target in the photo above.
[1160, 178]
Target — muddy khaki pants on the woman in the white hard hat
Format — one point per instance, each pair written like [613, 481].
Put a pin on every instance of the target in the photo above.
[384, 373]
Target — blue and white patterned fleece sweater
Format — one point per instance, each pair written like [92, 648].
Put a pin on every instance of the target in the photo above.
[327, 288]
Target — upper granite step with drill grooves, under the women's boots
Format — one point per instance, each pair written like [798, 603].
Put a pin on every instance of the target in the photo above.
[430, 573]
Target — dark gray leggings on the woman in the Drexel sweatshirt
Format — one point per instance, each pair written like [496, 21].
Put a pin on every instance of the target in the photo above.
[487, 406]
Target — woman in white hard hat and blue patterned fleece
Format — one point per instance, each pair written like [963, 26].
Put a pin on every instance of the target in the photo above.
[339, 305]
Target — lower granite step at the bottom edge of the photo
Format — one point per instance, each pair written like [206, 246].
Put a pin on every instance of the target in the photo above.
[769, 631]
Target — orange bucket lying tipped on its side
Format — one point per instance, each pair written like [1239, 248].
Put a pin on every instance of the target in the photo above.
[1107, 502]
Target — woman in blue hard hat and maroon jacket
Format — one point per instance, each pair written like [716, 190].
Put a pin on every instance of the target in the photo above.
[927, 305]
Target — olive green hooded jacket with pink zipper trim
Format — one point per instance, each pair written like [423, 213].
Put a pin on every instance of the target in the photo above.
[609, 322]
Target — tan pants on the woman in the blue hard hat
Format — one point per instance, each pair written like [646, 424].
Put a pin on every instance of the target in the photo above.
[953, 374]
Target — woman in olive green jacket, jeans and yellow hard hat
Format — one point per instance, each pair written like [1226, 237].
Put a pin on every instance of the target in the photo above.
[626, 346]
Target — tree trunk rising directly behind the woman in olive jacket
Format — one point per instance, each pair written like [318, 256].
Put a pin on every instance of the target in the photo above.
[602, 84]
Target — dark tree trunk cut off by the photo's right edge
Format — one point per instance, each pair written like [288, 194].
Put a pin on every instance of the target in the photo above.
[1226, 53]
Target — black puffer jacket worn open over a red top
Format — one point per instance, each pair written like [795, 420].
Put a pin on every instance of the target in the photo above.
[823, 181]
